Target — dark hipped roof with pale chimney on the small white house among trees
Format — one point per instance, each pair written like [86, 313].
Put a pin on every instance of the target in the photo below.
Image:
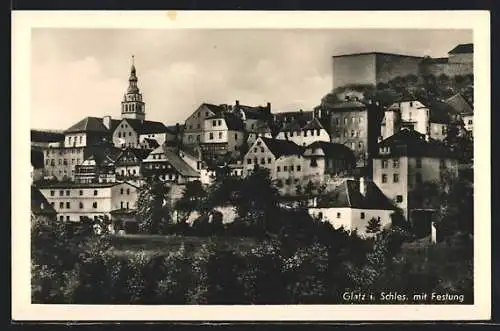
[348, 195]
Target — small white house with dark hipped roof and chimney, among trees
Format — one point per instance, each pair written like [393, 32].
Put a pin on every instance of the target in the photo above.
[351, 206]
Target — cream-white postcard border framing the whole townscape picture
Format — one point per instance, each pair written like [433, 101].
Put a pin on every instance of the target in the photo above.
[22, 22]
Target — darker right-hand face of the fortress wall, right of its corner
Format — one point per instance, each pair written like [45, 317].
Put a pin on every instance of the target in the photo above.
[391, 66]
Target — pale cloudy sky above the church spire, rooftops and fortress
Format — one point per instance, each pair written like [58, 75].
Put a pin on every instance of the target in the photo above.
[84, 72]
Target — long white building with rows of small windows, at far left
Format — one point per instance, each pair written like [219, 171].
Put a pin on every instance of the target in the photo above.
[73, 201]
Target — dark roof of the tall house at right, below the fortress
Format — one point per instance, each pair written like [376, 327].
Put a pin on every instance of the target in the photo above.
[407, 142]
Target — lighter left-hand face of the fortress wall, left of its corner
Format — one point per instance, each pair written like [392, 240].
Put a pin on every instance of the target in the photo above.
[354, 69]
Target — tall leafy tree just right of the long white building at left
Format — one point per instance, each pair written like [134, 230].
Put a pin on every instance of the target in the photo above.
[152, 208]
